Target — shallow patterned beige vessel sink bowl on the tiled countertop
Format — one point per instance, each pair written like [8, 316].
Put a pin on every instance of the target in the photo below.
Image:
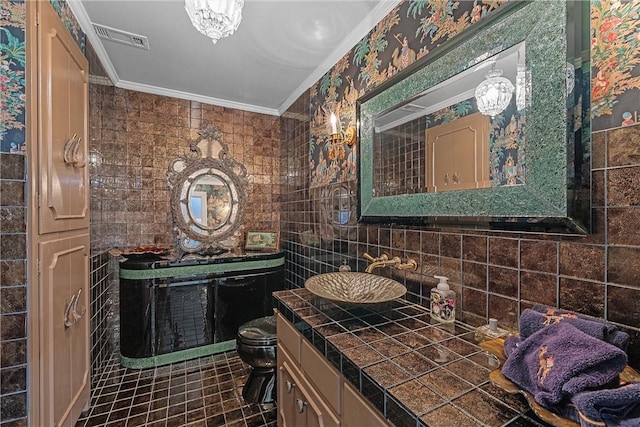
[354, 287]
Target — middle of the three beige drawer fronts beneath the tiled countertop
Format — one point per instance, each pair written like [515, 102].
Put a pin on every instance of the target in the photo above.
[325, 378]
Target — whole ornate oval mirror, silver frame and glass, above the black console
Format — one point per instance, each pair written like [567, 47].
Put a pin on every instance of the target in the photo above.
[207, 195]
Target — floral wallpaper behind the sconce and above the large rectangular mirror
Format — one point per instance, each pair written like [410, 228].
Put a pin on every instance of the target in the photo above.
[408, 33]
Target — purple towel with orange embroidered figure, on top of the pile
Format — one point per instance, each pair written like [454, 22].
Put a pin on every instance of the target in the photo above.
[559, 361]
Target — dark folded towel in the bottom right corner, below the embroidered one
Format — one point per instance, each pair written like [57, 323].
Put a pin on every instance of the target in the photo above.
[616, 407]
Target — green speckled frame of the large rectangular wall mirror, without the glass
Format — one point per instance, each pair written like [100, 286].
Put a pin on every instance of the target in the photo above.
[551, 201]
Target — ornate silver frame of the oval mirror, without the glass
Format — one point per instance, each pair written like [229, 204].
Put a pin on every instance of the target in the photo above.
[208, 156]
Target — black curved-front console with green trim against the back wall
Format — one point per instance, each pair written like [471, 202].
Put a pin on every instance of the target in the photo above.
[173, 310]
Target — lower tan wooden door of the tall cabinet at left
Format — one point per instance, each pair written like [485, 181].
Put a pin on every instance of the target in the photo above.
[64, 329]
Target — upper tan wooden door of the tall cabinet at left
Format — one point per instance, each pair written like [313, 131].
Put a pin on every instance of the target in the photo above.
[63, 191]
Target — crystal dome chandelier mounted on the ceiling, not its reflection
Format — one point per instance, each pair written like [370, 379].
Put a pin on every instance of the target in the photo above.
[215, 18]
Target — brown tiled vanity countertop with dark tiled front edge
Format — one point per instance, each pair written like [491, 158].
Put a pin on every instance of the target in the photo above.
[417, 373]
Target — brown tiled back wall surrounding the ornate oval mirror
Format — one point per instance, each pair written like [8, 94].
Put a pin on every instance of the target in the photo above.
[134, 138]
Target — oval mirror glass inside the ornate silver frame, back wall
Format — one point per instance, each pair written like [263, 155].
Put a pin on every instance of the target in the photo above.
[209, 202]
